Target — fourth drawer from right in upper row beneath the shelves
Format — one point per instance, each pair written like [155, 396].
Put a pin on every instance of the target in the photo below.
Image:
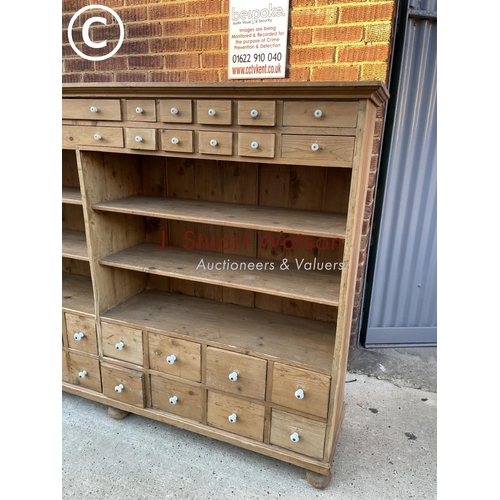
[121, 342]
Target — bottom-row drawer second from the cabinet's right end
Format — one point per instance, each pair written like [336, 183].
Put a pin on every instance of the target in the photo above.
[248, 418]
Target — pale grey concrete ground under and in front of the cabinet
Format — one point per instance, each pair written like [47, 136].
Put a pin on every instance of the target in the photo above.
[387, 450]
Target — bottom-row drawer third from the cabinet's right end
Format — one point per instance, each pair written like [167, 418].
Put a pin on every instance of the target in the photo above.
[176, 397]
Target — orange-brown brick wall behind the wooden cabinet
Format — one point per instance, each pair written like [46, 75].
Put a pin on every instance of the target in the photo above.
[186, 41]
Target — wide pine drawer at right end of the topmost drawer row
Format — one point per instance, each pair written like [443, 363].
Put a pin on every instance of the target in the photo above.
[320, 114]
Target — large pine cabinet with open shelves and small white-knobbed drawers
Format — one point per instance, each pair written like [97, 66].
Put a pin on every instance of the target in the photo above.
[210, 250]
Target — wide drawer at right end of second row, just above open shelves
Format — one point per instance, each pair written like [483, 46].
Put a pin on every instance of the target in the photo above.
[323, 148]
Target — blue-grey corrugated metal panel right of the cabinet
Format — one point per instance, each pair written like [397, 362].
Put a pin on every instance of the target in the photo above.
[403, 295]
